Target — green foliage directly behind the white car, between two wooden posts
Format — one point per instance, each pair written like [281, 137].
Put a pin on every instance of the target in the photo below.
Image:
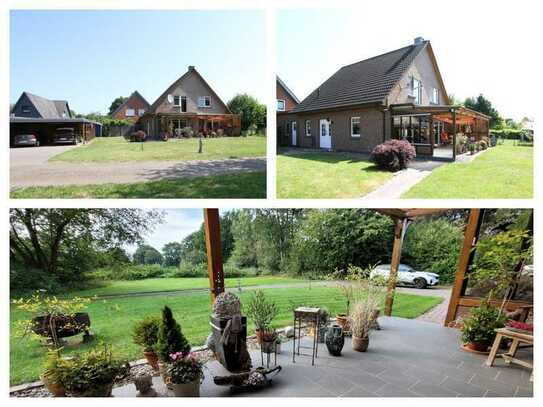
[433, 245]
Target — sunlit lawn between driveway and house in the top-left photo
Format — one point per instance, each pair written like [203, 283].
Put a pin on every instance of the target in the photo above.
[117, 149]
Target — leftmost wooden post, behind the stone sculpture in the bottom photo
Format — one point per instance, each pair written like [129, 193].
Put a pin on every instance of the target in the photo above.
[214, 256]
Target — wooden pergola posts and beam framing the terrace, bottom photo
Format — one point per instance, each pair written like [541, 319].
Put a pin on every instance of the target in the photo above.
[401, 218]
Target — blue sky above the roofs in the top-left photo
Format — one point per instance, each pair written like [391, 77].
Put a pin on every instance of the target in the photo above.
[91, 57]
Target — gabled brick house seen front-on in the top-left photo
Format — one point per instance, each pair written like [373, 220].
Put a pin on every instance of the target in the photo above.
[189, 103]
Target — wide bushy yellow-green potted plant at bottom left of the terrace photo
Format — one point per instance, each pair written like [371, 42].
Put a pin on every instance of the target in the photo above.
[91, 374]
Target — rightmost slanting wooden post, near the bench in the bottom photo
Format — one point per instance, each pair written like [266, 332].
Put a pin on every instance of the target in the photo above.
[470, 239]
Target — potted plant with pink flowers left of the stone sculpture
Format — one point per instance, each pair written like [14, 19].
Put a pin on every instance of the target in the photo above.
[186, 374]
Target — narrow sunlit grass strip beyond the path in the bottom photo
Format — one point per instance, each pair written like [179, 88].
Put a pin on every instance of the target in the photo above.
[176, 284]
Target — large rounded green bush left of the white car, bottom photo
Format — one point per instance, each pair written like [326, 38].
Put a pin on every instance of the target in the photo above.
[333, 239]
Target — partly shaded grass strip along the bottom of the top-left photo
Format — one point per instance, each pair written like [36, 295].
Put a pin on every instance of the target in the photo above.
[227, 186]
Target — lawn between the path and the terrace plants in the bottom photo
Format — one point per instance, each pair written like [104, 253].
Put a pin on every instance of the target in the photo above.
[112, 320]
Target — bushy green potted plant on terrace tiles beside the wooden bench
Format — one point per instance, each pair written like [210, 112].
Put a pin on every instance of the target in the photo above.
[478, 330]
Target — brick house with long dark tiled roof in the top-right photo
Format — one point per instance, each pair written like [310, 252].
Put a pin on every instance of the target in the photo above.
[400, 95]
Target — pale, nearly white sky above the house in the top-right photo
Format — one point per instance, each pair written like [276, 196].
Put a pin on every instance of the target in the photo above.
[479, 49]
